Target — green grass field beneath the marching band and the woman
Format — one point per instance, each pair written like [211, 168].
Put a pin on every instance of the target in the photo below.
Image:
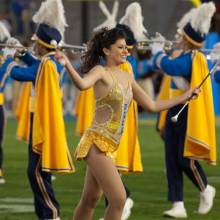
[148, 188]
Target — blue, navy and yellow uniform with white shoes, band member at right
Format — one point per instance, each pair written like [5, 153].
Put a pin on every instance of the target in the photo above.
[189, 139]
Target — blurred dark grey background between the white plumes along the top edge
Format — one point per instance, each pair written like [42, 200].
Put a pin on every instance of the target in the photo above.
[83, 16]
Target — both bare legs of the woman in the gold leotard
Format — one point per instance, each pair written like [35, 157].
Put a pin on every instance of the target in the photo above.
[101, 174]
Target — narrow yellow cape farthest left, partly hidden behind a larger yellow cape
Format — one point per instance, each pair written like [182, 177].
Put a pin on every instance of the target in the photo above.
[22, 113]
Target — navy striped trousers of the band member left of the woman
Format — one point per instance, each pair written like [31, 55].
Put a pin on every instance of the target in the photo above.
[46, 205]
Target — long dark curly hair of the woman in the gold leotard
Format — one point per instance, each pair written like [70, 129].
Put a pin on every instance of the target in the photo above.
[101, 39]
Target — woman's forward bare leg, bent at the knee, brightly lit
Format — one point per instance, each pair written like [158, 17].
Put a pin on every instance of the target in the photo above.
[108, 178]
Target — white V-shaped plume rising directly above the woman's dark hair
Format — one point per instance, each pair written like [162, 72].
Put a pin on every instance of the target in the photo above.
[110, 21]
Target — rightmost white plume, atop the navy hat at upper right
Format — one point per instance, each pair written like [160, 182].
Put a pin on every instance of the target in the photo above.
[201, 20]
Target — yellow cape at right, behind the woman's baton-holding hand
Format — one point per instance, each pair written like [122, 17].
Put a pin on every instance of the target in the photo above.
[200, 142]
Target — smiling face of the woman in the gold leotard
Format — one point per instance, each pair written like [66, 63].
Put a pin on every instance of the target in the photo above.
[117, 53]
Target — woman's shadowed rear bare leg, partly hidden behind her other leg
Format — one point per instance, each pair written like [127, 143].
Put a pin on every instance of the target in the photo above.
[90, 196]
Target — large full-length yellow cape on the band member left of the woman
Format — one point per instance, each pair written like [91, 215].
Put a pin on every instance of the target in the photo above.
[49, 137]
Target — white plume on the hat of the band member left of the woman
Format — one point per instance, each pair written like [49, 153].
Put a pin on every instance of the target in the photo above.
[52, 13]
